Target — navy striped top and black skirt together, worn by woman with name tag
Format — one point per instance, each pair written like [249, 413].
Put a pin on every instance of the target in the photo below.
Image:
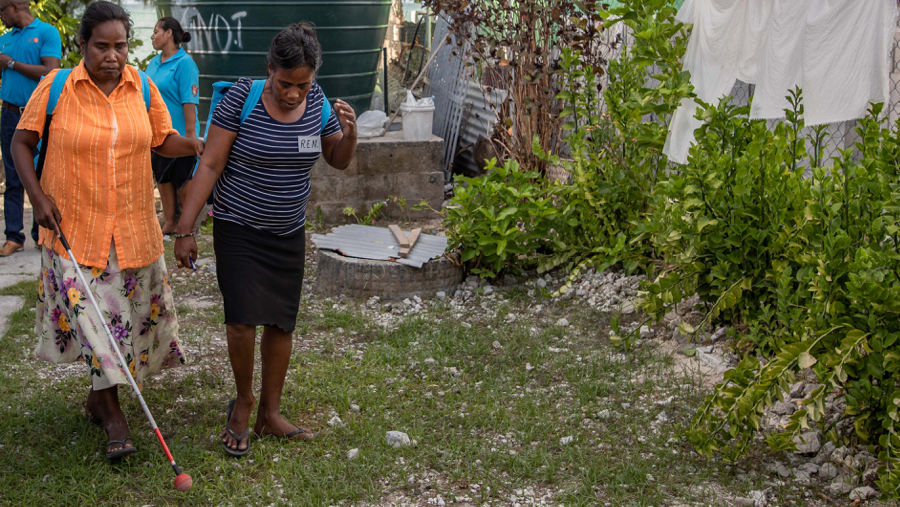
[260, 208]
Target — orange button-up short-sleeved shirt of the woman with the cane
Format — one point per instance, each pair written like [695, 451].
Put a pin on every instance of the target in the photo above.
[98, 166]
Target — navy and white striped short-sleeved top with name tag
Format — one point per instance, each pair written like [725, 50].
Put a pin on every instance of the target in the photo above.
[265, 184]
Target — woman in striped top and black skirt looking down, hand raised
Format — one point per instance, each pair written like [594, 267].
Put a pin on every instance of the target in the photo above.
[260, 170]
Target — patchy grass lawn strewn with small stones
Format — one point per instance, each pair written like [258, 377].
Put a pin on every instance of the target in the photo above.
[554, 415]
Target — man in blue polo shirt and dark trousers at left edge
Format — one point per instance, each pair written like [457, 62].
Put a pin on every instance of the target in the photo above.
[29, 51]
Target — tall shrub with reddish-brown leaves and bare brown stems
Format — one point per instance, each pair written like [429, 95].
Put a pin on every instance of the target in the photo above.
[512, 45]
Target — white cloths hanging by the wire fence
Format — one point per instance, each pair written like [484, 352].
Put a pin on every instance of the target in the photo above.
[836, 51]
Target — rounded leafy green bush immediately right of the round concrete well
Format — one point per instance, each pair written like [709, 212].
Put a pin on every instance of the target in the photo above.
[499, 221]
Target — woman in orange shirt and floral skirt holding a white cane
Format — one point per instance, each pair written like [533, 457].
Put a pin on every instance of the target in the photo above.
[98, 173]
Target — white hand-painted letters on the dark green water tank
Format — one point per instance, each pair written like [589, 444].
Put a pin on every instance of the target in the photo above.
[216, 32]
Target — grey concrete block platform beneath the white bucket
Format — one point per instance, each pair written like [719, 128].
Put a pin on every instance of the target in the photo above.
[383, 167]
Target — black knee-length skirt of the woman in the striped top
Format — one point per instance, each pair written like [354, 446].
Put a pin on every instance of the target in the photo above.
[260, 274]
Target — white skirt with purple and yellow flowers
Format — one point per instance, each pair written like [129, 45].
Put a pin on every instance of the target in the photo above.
[137, 305]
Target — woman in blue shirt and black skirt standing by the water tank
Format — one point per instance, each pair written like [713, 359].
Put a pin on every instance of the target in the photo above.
[178, 79]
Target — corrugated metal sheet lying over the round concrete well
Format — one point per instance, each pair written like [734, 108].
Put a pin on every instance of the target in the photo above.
[378, 243]
